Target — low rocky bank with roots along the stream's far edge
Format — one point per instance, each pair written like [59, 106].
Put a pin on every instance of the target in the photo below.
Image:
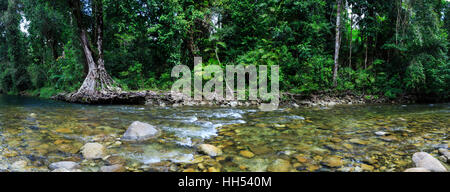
[163, 99]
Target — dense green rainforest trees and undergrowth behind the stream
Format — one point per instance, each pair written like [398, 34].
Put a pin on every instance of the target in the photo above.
[386, 48]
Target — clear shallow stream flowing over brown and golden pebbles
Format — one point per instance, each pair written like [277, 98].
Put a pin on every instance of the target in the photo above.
[340, 138]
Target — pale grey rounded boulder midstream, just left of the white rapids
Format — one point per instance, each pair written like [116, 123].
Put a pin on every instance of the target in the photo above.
[139, 131]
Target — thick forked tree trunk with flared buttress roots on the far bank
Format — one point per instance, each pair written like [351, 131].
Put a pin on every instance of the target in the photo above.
[97, 81]
